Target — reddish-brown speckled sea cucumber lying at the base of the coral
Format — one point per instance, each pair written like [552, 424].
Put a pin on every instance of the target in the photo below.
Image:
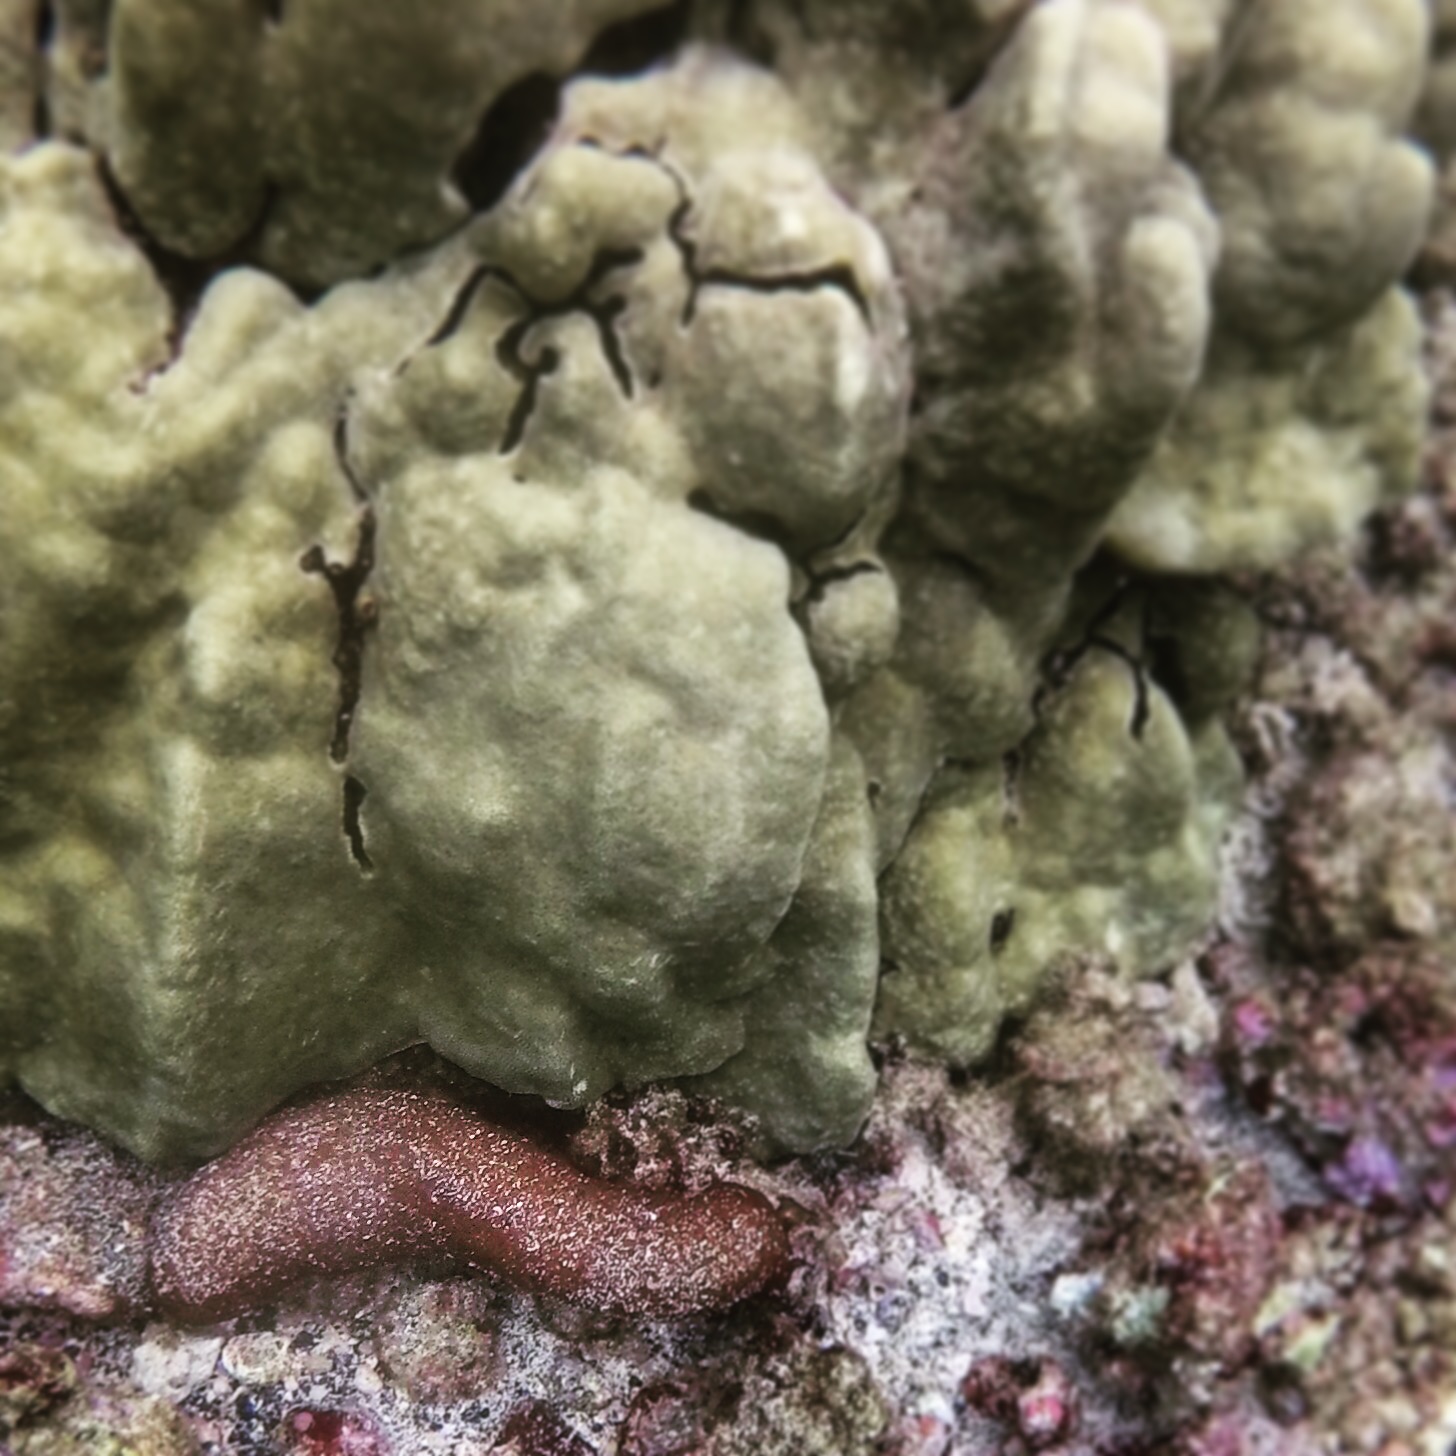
[373, 1177]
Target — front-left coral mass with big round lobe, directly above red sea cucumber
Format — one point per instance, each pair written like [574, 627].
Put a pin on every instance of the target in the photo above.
[519, 456]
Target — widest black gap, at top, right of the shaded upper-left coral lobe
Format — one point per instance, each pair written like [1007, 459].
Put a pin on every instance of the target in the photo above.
[519, 122]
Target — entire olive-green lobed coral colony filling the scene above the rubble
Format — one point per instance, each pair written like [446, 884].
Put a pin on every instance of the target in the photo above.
[564, 646]
